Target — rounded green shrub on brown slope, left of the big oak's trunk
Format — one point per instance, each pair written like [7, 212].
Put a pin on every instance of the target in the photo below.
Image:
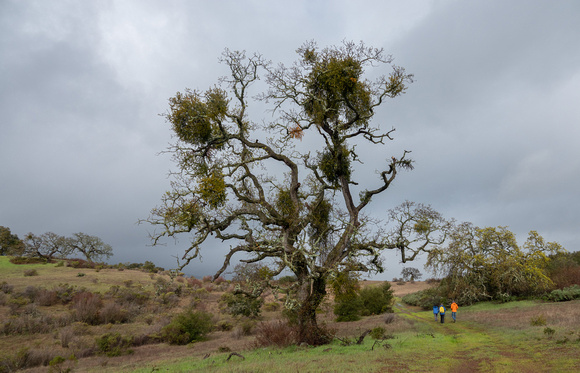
[186, 327]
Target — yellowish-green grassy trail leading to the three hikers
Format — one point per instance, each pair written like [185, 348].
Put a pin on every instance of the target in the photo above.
[477, 349]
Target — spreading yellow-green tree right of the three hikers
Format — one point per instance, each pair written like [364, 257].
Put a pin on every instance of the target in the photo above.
[487, 263]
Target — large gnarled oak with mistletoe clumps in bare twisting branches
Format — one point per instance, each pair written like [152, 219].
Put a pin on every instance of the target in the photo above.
[300, 206]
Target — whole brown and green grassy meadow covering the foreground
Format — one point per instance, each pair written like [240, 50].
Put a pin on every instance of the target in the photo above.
[523, 336]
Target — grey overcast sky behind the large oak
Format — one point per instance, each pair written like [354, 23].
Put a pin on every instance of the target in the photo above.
[492, 119]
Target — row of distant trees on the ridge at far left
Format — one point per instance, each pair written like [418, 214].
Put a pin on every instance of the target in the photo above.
[49, 246]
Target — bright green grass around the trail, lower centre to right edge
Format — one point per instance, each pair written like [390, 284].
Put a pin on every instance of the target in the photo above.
[471, 344]
